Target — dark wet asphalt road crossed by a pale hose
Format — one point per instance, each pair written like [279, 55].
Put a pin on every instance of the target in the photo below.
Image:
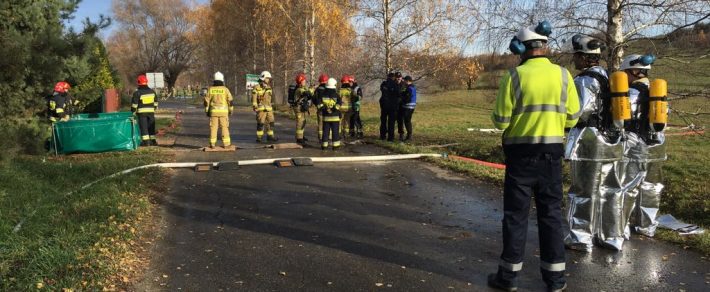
[393, 226]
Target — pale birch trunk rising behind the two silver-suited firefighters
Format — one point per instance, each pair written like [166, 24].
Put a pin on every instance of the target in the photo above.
[614, 34]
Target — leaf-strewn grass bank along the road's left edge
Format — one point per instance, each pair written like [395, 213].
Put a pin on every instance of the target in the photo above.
[87, 240]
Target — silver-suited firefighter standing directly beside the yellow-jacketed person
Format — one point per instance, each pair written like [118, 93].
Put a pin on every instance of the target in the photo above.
[594, 196]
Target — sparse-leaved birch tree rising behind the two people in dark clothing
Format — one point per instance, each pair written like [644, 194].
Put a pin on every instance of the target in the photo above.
[431, 27]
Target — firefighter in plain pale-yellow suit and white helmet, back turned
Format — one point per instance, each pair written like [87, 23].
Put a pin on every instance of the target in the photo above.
[218, 106]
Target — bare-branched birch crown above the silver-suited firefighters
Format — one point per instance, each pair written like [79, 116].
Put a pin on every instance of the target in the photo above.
[619, 23]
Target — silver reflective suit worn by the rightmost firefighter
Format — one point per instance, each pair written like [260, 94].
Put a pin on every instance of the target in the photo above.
[642, 176]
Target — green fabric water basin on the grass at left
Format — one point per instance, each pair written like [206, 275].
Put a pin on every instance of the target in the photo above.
[92, 133]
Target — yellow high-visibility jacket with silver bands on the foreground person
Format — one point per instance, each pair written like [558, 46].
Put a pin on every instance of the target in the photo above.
[536, 101]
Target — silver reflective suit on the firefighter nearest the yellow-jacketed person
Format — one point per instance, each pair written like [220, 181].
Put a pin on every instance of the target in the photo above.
[595, 198]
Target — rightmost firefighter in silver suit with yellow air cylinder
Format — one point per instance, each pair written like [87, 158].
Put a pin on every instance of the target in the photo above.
[644, 149]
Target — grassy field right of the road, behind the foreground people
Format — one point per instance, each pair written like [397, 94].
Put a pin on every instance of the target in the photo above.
[444, 118]
